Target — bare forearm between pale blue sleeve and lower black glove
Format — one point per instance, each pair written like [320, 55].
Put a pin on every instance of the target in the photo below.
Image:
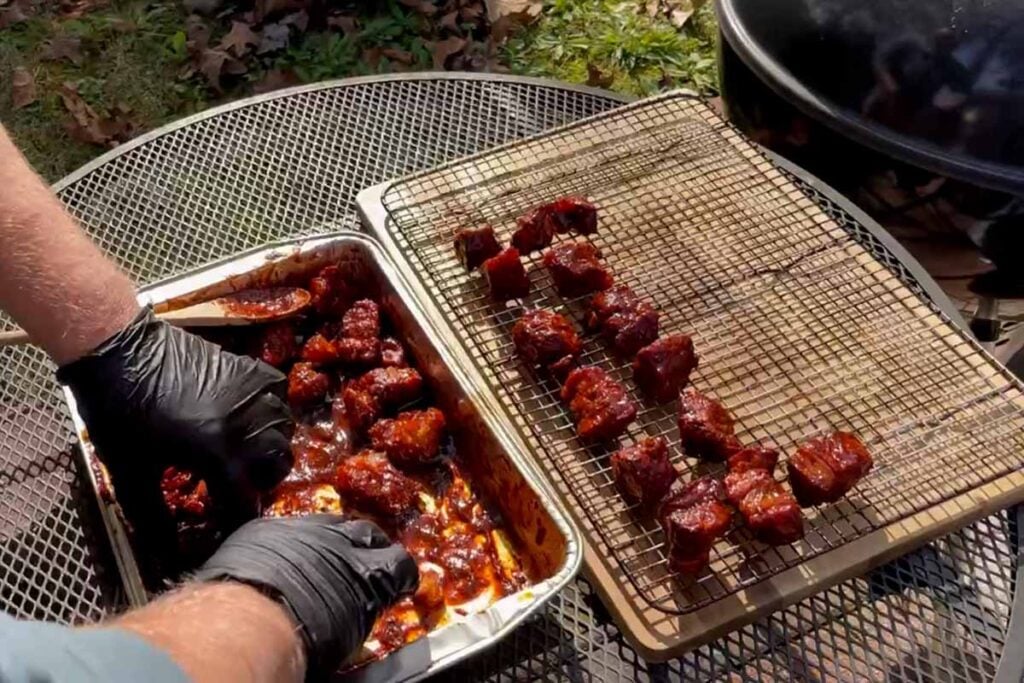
[223, 632]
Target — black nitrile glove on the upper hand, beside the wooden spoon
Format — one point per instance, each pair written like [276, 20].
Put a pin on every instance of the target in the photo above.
[154, 397]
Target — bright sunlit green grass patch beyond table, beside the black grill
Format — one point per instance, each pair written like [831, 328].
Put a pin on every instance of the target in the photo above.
[641, 56]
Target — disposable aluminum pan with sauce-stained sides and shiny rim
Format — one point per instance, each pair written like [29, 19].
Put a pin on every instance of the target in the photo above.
[547, 542]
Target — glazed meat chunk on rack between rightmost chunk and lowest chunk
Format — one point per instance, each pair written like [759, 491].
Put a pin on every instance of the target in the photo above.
[769, 509]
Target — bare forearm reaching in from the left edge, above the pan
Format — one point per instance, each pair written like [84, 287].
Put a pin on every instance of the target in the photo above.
[54, 281]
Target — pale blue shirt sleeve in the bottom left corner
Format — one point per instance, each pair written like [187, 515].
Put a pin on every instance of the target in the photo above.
[37, 653]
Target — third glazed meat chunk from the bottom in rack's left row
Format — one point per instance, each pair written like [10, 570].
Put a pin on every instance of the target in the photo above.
[601, 405]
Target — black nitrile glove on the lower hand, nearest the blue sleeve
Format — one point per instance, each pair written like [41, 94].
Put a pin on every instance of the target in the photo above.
[333, 576]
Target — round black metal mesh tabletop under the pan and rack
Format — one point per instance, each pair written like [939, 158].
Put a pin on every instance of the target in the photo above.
[290, 164]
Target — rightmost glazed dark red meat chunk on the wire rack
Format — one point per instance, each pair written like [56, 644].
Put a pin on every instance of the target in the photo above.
[824, 469]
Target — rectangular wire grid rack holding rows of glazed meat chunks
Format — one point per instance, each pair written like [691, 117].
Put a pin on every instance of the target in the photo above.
[800, 329]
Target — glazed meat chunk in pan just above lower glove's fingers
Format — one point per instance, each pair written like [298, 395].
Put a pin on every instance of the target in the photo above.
[370, 482]
